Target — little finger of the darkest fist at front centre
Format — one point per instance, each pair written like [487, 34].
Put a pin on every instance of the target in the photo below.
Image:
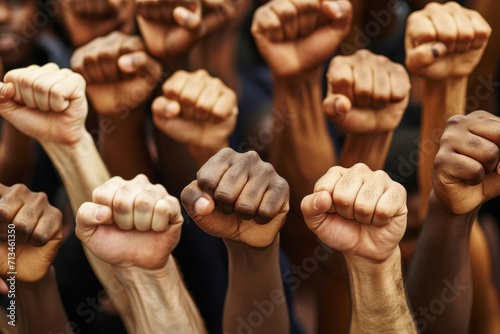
[274, 201]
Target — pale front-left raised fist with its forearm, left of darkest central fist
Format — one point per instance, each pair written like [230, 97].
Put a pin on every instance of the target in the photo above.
[135, 235]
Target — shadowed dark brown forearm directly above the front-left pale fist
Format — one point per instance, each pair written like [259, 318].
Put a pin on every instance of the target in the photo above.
[124, 146]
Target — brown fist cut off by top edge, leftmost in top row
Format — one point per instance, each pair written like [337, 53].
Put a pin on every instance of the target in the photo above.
[88, 19]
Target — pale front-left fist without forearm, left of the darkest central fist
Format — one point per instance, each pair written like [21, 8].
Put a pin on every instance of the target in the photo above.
[130, 223]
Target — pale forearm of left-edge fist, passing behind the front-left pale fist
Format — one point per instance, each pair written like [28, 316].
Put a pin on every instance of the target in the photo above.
[82, 170]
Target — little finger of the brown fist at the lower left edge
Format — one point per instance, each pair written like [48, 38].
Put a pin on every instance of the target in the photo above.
[49, 226]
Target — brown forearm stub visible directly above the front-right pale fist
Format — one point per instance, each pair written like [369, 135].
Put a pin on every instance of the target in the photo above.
[370, 149]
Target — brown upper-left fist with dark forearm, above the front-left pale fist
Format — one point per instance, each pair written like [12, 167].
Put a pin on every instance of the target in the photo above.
[121, 77]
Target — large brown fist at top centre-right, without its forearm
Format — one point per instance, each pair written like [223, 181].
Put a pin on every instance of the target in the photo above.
[298, 35]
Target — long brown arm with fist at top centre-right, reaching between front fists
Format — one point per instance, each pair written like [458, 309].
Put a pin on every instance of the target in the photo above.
[301, 146]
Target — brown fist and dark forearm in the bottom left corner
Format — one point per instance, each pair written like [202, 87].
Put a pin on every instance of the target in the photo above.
[38, 235]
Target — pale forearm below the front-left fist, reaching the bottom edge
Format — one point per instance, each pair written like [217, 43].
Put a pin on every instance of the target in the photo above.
[159, 300]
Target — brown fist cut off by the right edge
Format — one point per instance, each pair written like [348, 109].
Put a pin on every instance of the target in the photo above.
[466, 169]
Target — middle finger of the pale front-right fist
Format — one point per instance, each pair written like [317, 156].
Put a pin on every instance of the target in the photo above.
[368, 197]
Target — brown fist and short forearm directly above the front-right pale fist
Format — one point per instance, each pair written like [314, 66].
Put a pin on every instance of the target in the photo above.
[367, 97]
